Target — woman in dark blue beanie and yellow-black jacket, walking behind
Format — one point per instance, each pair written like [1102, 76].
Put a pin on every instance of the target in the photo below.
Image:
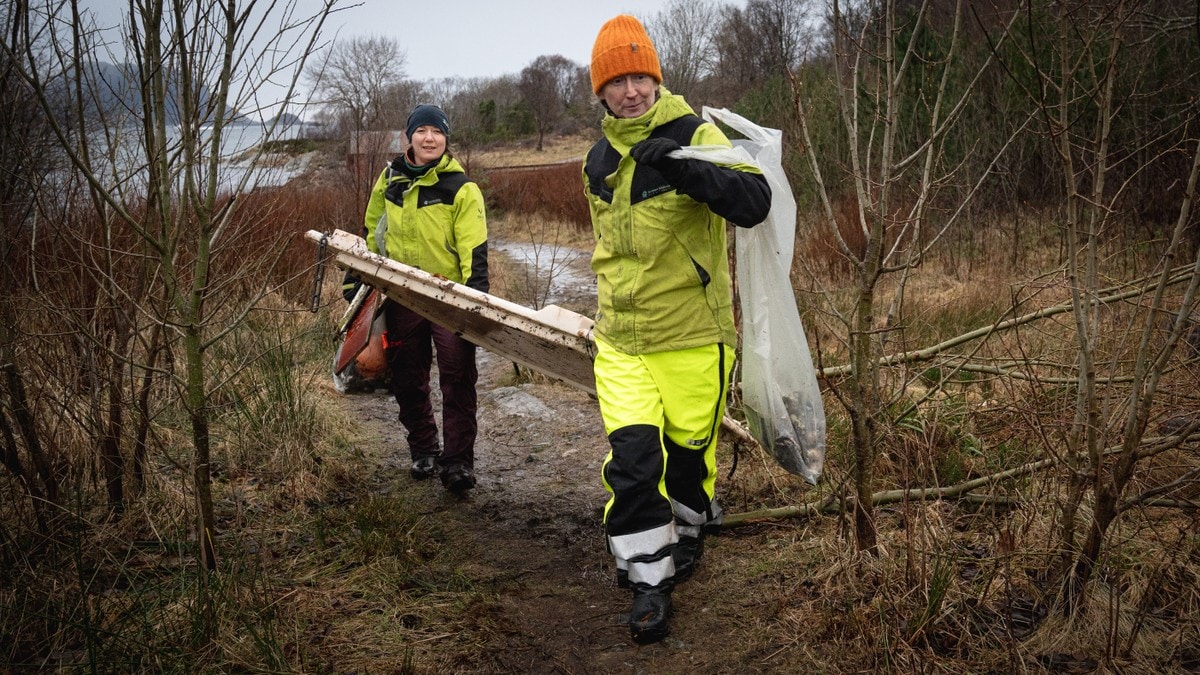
[424, 212]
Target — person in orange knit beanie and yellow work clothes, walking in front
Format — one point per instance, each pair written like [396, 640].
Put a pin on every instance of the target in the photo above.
[665, 334]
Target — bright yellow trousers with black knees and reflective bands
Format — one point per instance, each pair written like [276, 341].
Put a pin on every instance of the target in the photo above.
[662, 413]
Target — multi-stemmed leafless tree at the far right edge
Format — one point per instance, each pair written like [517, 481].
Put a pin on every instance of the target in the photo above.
[1114, 405]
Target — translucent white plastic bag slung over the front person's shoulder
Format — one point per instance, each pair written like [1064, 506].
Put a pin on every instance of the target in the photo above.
[781, 393]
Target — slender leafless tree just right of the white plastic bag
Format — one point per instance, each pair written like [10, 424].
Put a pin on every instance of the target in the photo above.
[896, 181]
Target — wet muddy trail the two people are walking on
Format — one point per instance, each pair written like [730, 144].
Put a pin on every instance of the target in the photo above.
[530, 540]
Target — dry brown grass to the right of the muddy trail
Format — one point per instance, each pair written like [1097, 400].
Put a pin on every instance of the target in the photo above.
[962, 589]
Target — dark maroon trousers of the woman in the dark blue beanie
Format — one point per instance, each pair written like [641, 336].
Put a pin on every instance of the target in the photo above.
[412, 342]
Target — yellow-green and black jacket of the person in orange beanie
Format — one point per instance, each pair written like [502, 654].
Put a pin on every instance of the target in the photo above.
[661, 258]
